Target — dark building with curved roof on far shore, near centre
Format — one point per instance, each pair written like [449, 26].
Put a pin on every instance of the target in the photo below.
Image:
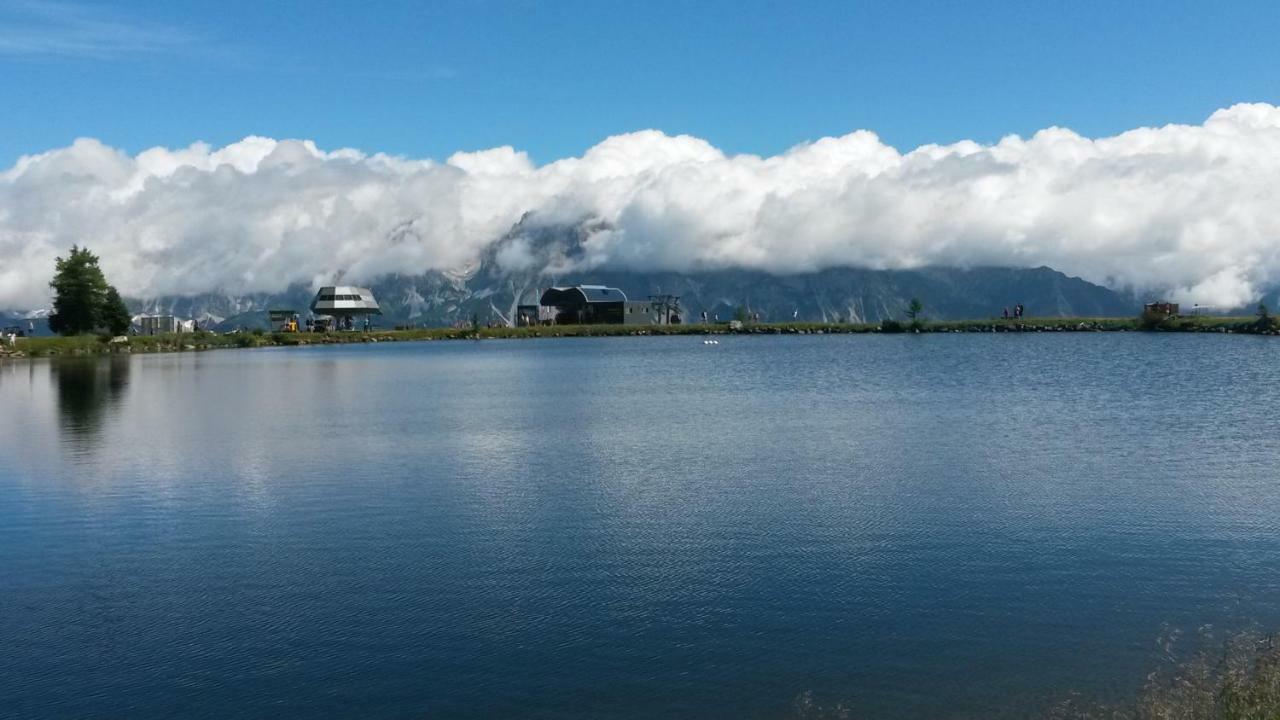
[597, 306]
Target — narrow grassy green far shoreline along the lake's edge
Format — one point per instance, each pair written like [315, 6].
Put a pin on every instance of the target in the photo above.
[191, 343]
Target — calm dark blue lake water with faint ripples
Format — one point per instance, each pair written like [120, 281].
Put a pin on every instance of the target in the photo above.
[911, 526]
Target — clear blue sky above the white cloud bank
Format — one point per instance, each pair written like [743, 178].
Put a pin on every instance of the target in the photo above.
[556, 78]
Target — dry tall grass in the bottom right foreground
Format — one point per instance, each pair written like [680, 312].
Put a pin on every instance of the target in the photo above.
[1232, 680]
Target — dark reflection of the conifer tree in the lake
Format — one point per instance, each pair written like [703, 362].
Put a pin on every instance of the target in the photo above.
[88, 389]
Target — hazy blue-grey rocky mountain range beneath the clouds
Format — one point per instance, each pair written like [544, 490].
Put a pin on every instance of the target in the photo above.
[532, 258]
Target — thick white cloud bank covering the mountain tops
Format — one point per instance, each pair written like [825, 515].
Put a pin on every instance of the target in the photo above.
[1192, 212]
